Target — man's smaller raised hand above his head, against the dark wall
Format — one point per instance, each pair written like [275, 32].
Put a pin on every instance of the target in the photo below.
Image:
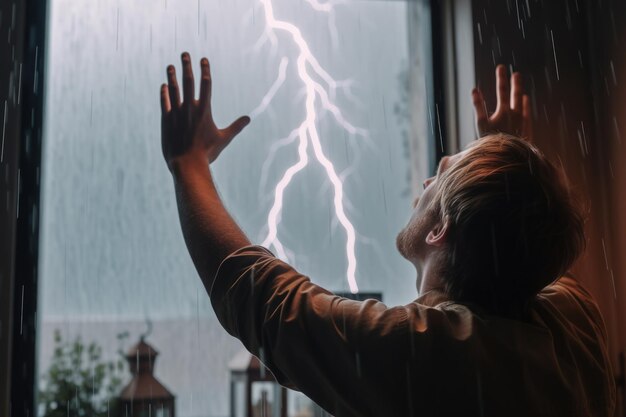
[513, 113]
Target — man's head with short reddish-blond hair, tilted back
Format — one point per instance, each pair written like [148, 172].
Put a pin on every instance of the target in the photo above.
[496, 223]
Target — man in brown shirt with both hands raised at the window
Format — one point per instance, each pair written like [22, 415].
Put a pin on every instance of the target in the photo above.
[497, 331]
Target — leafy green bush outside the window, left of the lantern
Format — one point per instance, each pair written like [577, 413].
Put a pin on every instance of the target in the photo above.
[78, 382]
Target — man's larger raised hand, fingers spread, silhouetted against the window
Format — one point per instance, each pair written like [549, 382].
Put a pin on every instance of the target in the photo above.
[188, 131]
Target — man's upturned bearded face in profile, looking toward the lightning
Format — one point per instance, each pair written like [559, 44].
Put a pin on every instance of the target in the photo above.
[411, 241]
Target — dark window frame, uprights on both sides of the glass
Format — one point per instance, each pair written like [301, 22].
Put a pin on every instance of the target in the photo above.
[21, 175]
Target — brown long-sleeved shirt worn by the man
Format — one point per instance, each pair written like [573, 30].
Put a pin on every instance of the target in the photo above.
[432, 357]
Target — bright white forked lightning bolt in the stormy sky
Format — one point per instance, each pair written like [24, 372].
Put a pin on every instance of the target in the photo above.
[319, 87]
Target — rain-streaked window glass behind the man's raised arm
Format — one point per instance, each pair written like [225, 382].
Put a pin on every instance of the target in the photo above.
[114, 267]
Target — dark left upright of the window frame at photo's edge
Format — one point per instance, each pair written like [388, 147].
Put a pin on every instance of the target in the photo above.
[22, 167]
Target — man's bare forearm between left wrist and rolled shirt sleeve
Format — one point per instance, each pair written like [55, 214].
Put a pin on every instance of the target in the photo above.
[210, 232]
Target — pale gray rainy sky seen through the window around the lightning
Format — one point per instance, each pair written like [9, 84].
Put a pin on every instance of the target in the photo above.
[111, 243]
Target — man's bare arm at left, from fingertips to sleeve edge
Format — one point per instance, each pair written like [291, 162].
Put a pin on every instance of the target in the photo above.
[191, 141]
